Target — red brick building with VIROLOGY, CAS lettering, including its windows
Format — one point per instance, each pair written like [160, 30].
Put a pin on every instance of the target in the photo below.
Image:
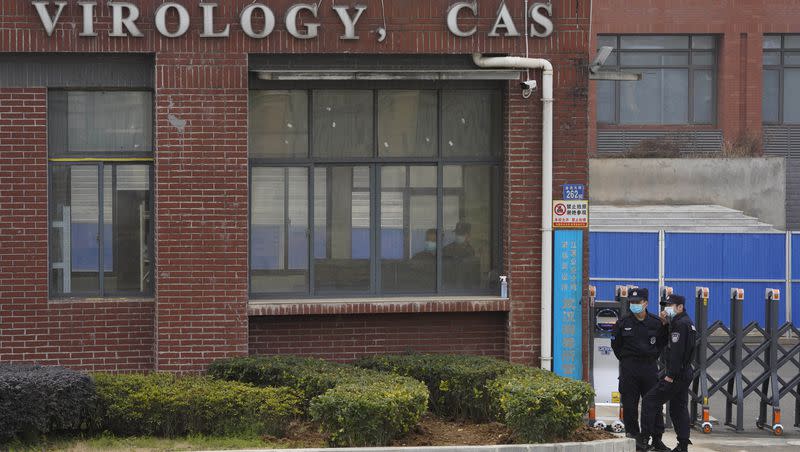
[174, 190]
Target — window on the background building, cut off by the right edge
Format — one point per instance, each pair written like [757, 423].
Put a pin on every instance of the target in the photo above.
[781, 79]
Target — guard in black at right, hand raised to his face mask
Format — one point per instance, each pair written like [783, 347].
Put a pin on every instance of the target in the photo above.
[674, 387]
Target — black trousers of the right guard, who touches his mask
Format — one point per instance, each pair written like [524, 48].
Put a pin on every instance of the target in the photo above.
[677, 394]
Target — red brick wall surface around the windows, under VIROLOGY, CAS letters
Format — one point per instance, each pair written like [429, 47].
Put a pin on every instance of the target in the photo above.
[201, 209]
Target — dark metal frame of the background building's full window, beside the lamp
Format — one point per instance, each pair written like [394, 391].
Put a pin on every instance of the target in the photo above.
[690, 67]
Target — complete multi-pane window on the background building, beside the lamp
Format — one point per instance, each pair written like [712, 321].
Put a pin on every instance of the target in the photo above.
[678, 81]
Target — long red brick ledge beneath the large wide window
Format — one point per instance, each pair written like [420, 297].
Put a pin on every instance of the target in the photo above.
[394, 305]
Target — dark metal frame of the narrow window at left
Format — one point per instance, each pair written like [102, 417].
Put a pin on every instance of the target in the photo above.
[114, 159]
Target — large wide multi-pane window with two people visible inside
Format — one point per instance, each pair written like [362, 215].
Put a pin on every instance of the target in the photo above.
[374, 192]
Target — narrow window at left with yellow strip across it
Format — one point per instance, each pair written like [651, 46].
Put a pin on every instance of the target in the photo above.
[100, 148]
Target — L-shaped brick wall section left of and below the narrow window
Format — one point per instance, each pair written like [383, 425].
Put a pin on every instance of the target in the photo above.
[85, 335]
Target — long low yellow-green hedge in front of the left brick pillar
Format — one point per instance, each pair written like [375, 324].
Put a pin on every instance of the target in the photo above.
[165, 405]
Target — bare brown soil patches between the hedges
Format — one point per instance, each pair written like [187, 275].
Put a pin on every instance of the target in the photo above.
[434, 431]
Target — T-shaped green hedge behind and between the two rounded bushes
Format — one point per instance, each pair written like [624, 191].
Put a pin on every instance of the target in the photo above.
[457, 383]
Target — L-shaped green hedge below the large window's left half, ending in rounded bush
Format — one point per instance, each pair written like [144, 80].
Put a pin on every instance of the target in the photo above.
[354, 407]
